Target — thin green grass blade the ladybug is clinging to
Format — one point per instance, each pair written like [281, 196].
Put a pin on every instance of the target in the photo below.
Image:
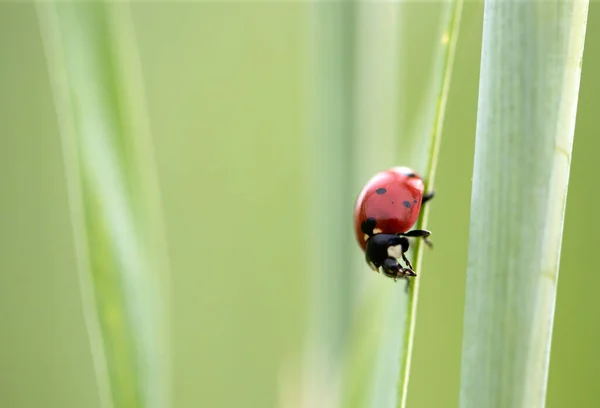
[448, 48]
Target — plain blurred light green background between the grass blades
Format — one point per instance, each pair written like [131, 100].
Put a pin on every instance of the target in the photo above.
[229, 101]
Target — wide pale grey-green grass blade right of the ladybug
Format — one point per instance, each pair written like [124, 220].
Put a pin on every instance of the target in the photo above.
[530, 73]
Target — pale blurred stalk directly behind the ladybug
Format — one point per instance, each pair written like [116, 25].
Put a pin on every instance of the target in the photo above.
[369, 377]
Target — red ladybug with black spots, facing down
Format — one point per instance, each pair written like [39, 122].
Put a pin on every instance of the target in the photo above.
[386, 208]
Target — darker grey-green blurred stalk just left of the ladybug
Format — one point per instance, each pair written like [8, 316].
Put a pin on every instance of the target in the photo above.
[332, 290]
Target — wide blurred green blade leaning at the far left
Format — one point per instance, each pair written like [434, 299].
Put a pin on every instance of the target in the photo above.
[114, 198]
